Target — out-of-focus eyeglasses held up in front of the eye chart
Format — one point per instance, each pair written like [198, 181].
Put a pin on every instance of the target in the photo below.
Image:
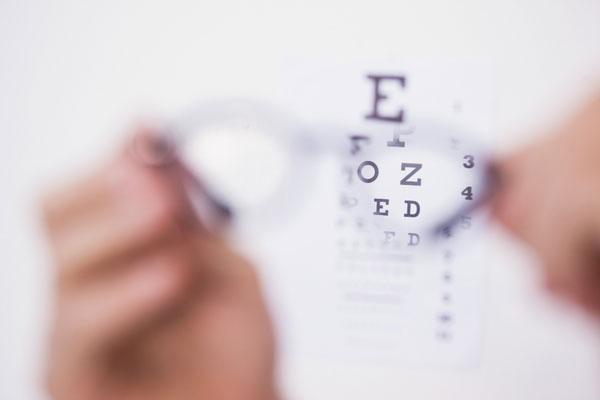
[251, 164]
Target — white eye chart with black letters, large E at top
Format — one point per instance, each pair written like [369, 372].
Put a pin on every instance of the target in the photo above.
[368, 281]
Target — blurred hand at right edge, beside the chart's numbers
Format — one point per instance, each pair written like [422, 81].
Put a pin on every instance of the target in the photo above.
[550, 198]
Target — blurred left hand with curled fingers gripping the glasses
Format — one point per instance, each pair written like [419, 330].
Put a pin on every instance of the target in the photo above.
[148, 304]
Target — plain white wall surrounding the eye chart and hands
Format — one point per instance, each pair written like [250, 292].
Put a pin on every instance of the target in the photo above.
[74, 75]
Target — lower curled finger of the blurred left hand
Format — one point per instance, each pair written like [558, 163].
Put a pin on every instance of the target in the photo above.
[96, 315]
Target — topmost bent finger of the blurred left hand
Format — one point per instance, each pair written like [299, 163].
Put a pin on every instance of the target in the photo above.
[141, 206]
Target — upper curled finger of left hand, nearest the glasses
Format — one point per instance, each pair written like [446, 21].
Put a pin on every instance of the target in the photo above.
[136, 211]
